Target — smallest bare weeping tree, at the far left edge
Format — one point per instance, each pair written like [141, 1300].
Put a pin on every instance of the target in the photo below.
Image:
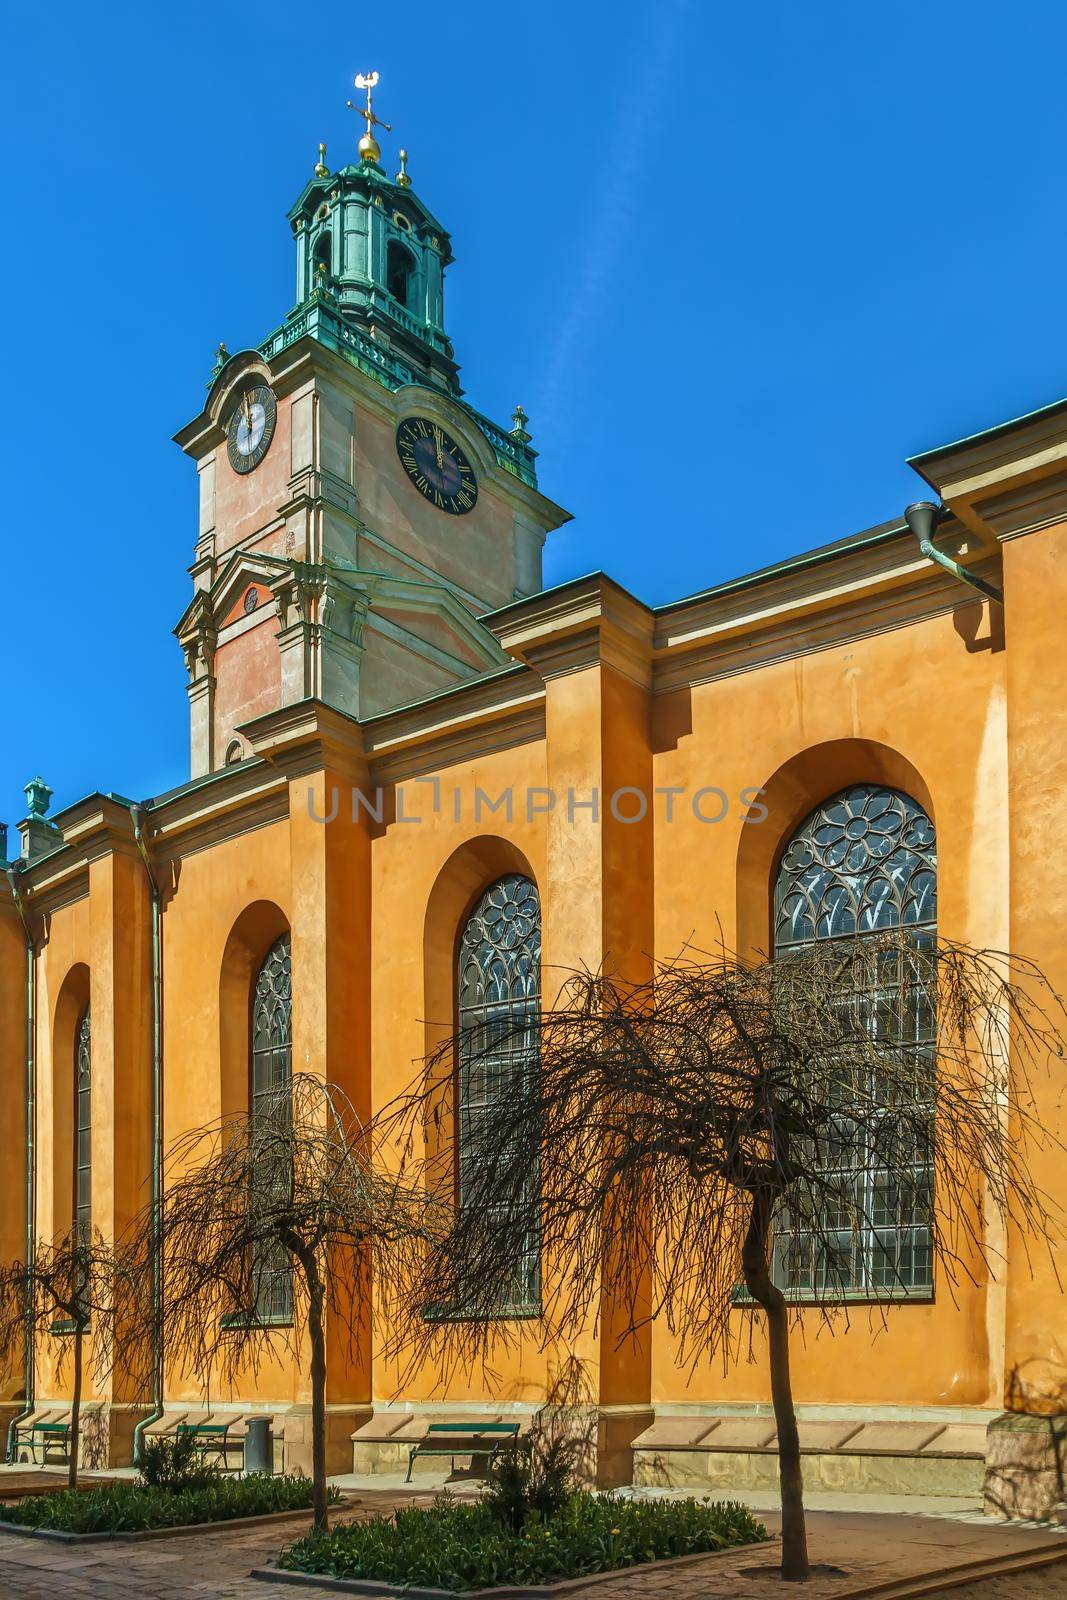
[66, 1290]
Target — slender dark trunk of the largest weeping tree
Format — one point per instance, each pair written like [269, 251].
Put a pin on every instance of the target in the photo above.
[756, 1258]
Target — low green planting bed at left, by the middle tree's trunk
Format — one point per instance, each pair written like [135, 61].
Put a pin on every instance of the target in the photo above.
[130, 1508]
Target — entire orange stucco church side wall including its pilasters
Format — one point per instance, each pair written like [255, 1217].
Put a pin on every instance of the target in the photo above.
[943, 708]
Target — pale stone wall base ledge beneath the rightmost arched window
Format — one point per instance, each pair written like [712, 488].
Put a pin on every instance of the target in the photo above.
[844, 1474]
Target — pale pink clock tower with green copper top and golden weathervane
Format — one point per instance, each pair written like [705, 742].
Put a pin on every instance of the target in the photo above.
[358, 516]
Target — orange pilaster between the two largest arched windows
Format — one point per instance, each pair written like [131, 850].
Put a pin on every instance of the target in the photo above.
[593, 647]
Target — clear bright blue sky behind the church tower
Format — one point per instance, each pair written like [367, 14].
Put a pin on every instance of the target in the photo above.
[737, 263]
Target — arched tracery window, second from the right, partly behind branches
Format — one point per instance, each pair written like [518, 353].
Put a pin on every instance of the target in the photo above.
[498, 988]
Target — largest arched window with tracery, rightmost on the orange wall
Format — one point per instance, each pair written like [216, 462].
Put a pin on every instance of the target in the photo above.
[863, 863]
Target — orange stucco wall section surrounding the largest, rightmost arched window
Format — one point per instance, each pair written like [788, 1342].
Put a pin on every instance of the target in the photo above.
[799, 732]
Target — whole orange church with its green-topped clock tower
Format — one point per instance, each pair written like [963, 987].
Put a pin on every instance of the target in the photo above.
[410, 764]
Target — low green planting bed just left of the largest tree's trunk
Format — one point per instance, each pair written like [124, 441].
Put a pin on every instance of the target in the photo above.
[452, 1546]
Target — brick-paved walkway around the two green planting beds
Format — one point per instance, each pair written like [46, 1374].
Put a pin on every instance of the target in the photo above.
[869, 1546]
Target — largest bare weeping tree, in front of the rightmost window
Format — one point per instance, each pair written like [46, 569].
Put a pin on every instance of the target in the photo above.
[737, 1135]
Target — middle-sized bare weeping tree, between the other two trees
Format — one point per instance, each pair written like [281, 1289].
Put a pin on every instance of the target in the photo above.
[274, 1223]
